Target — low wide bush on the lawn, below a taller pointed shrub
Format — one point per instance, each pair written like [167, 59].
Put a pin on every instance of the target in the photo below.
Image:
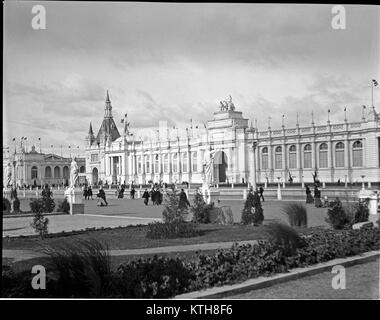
[170, 230]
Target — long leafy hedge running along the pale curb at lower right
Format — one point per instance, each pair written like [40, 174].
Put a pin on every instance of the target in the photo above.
[265, 258]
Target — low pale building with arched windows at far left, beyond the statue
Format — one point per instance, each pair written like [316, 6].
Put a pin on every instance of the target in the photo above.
[32, 168]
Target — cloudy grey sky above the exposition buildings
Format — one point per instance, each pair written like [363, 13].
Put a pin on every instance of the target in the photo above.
[174, 62]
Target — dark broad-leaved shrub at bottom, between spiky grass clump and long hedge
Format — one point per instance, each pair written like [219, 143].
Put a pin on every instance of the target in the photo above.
[155, 277]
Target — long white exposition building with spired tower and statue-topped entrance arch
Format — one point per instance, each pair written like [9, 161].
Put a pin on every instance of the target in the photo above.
[347, 151]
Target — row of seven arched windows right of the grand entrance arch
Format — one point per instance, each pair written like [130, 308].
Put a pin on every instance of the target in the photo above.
[357, 156]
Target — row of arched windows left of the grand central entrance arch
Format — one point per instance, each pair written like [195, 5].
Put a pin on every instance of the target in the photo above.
[179, 162]
